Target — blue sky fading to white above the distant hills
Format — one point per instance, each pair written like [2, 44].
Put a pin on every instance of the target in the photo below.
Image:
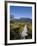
[21, 11]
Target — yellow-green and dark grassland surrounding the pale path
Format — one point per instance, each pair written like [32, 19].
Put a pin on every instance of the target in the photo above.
[16, 28]
